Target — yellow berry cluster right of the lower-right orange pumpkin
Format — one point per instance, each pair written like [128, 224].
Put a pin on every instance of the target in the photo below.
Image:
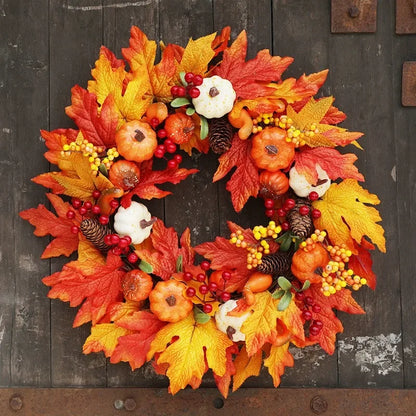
[336, 275]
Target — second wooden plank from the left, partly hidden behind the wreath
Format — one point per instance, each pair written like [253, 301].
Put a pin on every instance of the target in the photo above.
[75, 39]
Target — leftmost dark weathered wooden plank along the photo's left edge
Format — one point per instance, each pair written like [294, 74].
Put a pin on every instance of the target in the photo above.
[24, 315]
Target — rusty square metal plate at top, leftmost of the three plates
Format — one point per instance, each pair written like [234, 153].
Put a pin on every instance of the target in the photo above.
[357, 16]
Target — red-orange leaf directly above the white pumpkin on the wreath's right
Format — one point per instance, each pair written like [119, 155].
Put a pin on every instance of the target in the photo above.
[335, 164]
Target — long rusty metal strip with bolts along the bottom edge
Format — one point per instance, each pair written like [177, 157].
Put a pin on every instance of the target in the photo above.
[205, 402]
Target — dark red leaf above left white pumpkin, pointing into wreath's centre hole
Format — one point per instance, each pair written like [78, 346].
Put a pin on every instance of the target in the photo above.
[146, 188]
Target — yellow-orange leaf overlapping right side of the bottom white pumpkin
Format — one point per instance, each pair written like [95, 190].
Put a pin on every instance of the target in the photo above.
[260, 326]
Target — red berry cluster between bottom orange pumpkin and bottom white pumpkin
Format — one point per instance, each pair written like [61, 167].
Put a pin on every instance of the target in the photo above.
[207, 287]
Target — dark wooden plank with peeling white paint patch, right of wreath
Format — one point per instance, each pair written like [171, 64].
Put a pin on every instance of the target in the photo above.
[370, 349]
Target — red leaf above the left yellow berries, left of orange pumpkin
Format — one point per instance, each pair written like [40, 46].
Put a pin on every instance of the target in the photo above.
[98, 125]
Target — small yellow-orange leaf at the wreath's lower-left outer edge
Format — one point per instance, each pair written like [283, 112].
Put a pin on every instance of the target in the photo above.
[104, 337]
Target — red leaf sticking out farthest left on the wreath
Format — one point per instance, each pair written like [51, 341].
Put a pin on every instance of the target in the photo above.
[59, 227]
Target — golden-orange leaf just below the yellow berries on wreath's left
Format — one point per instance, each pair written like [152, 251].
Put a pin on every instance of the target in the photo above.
[84, 181]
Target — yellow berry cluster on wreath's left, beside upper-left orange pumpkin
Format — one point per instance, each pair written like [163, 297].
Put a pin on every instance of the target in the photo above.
[95, 154]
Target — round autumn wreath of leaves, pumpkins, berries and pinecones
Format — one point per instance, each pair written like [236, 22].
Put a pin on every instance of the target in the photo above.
[258, 290]
